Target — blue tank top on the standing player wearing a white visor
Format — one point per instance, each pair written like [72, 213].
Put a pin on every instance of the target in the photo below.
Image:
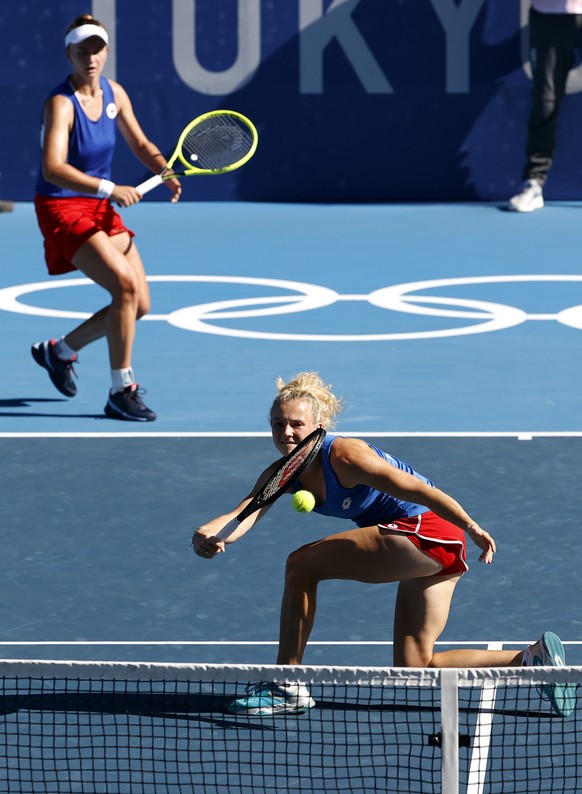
[91, 143]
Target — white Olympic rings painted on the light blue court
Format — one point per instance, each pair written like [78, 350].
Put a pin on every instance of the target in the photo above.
[479, 316]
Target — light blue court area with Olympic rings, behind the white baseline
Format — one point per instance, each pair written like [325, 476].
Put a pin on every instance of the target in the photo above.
[481, 304]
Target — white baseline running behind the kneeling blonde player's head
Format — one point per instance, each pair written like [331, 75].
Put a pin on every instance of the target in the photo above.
[520, 435]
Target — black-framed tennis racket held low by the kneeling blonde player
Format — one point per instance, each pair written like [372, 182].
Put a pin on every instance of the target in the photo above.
[288, 471]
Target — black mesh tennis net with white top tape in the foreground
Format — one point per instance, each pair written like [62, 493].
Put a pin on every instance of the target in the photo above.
[163, 728]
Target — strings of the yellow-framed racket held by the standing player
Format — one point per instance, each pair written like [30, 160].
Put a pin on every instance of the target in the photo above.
[217, 143]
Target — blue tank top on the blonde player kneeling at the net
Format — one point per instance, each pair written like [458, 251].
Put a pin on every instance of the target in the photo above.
[362, 504]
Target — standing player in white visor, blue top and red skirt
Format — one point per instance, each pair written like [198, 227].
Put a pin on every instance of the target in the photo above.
[81, 229]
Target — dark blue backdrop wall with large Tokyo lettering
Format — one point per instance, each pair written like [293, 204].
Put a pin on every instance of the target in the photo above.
[355, 100]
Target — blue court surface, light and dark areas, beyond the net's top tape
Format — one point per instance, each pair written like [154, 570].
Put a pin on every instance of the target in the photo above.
[453, 333]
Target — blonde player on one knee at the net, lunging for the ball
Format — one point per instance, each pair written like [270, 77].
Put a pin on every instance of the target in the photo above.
[407, 531]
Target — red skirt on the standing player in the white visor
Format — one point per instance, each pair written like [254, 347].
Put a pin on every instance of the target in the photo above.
[67, 223]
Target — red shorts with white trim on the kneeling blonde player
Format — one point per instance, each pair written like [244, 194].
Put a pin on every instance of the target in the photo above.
[437, 538]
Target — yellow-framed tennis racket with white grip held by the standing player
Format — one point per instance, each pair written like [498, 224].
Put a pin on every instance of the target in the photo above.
[214, 143]
